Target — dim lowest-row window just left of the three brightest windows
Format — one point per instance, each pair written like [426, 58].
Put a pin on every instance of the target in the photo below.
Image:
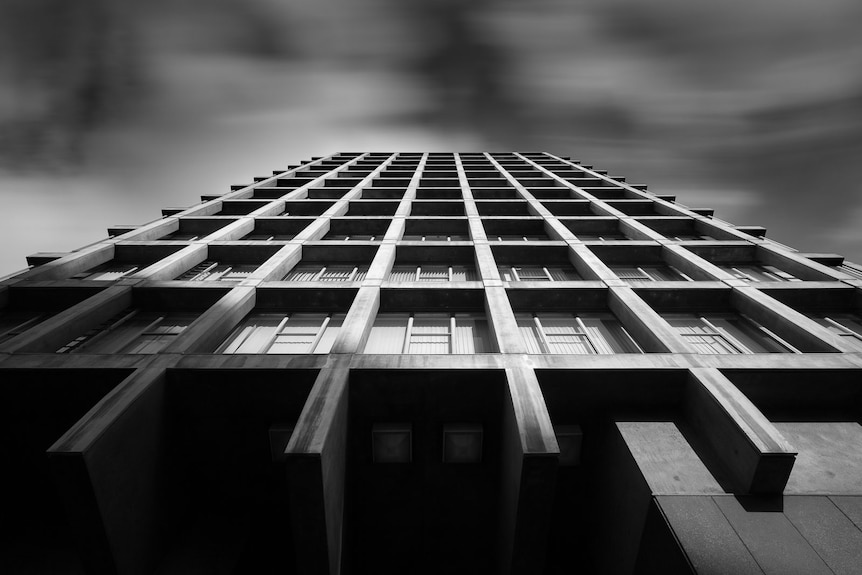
[131, 332]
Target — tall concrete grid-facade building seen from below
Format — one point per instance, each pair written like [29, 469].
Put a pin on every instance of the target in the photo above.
[433, 363]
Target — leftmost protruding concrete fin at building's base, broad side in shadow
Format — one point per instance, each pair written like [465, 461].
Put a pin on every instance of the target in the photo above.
[111, 474]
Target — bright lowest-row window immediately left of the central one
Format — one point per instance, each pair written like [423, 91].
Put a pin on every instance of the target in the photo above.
[273, 333]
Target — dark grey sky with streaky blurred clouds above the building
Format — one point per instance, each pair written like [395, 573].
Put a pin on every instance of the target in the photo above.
[110, 111]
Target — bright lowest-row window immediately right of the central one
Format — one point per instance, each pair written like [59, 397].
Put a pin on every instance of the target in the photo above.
[594, 333]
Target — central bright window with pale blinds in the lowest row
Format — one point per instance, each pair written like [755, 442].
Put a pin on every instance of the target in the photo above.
[429, 334]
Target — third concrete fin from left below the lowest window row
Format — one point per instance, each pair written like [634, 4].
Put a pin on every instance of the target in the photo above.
[530, 454]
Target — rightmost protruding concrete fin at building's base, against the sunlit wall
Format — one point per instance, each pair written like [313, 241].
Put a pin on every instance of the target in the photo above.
[750, 447]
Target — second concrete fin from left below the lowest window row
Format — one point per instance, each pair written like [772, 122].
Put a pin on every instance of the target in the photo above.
[316, 458]
